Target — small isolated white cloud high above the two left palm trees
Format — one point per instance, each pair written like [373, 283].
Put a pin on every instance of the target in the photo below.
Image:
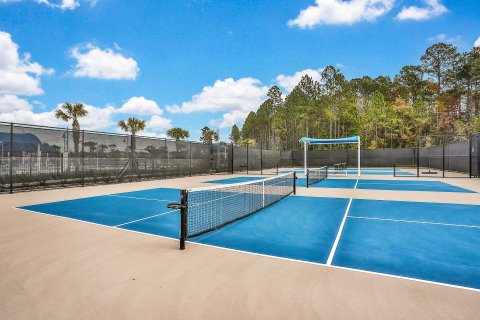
[94, 62]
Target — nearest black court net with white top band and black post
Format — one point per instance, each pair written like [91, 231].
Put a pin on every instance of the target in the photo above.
[208, 208]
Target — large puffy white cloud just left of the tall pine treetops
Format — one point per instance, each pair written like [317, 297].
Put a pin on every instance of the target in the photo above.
[236, 97]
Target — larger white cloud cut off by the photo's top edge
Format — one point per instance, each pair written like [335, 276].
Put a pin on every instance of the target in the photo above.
[332, 12]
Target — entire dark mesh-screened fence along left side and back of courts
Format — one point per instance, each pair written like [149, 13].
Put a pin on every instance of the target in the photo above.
[41, 157]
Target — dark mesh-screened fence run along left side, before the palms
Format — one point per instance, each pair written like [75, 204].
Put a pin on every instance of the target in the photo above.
[44, 157]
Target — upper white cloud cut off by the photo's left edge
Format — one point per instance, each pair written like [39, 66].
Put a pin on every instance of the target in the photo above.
[18, 75]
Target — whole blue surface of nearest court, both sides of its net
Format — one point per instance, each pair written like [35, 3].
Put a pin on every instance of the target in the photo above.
[428, 241]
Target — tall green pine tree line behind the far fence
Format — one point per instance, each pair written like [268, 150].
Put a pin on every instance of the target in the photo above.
[439, 96]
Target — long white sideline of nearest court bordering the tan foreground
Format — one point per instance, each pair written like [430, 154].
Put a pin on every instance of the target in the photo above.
[262, 255]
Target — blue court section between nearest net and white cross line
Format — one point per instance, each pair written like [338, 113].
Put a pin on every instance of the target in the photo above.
[292, 228]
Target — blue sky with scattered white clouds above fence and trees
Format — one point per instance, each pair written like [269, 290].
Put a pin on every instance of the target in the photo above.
[203, 62]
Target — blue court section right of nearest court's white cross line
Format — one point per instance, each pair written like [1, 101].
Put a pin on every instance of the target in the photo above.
[436, 242]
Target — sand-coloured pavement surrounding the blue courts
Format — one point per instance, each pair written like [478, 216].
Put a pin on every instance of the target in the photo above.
[54, 268]
